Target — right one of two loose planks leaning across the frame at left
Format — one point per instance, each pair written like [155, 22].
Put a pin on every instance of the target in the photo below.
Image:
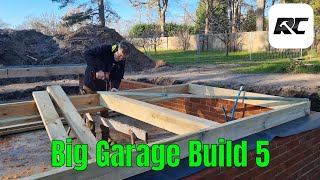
[73, 118]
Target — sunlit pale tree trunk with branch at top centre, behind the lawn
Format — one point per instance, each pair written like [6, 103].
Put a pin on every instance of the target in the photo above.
[160, 5]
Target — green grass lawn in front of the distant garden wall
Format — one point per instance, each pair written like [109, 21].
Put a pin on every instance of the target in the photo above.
[262, 63]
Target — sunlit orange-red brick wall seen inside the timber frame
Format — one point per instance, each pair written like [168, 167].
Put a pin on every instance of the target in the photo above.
[204, 108]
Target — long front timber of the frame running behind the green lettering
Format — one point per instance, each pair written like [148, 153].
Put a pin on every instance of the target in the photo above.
[244, 127]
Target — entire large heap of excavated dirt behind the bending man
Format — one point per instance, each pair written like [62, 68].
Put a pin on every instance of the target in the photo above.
[28, 47]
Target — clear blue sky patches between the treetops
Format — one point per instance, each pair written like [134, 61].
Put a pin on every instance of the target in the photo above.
[14, 12]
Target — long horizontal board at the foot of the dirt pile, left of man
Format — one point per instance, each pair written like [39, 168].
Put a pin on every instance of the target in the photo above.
[16, 72]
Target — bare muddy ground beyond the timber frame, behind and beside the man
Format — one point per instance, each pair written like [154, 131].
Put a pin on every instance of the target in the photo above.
[218, 75]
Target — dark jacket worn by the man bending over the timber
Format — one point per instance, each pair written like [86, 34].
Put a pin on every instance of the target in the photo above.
[102, 58]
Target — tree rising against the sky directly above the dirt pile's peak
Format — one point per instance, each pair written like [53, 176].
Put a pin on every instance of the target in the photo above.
[104, 10]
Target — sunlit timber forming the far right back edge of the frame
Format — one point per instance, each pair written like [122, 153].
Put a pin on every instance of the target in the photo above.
[206, 90]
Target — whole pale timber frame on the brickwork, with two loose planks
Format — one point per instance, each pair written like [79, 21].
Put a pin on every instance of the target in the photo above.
[25, 116]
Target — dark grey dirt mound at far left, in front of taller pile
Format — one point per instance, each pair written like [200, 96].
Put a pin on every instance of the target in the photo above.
[26, 47]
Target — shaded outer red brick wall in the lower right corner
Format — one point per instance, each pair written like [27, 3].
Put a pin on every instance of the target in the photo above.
[291, 157]
